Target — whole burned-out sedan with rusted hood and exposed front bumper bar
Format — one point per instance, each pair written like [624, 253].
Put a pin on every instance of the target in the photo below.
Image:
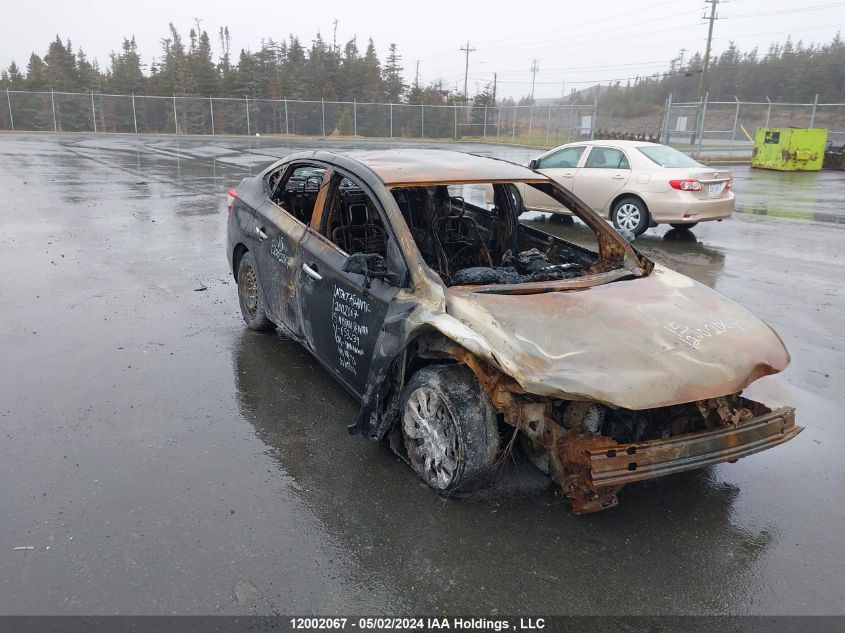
[461, 330]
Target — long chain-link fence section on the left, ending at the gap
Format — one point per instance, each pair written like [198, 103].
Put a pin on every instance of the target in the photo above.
[543, 125]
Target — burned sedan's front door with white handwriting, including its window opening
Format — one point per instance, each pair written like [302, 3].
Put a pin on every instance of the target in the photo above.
[342, 318]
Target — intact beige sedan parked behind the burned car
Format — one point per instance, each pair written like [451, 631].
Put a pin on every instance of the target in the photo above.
[634, 184]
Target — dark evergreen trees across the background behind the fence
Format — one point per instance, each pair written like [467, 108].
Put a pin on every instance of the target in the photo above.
[203, 66]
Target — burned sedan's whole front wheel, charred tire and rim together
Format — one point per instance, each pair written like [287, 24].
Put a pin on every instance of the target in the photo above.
[449, 428]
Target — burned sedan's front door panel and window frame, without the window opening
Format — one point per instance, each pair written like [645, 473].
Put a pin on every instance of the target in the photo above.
[314, 293]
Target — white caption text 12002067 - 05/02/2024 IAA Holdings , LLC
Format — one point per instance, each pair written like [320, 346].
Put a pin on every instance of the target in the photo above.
[466, 625]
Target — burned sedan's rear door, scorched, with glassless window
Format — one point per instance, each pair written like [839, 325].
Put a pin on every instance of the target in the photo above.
[278, 234]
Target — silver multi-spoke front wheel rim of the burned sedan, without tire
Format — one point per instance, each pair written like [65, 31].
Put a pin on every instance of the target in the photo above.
[431, 438]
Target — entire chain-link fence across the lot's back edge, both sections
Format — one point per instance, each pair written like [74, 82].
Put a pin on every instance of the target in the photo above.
[699, 127]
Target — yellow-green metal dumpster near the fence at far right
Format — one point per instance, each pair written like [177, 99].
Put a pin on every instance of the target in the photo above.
[789, 148]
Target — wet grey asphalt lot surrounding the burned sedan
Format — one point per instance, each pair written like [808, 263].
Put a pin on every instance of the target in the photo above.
[160, 458]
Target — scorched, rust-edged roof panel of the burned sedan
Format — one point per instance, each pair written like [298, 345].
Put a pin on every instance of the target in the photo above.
[417, 167]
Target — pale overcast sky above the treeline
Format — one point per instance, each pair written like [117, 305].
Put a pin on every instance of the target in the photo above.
[579, 43]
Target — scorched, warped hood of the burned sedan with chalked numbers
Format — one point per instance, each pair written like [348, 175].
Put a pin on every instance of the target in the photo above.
[637, 344]
